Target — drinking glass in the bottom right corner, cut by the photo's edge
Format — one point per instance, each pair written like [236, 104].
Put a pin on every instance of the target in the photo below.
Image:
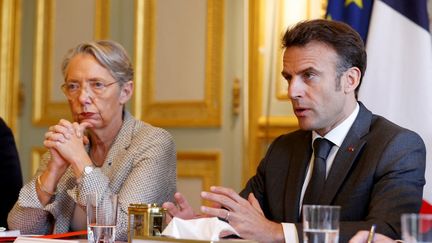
[416, 228]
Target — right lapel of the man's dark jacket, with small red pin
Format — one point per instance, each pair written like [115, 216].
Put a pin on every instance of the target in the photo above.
[346, 156]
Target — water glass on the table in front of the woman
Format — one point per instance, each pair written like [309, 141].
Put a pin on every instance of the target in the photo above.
[101, 218]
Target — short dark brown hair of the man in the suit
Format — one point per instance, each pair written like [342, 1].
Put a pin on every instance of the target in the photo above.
[341, 37]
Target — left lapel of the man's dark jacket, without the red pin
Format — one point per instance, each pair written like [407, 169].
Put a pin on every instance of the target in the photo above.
[299, 160]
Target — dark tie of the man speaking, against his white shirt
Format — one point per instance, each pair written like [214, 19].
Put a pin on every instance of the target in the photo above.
[322, 149]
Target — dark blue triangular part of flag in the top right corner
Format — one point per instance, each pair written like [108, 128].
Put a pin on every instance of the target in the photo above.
[414, 10]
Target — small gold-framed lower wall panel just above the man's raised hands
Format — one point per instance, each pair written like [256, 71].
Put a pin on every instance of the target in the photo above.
[202, 165]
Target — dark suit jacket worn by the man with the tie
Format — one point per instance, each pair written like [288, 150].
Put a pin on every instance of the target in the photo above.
[377, 175]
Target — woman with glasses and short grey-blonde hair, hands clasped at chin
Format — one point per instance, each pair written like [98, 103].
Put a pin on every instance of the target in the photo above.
[103, 150]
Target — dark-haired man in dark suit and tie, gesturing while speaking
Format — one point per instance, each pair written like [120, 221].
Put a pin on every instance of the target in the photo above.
[374, 169]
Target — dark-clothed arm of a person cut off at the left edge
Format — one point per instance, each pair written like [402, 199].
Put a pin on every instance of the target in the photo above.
[10, 172]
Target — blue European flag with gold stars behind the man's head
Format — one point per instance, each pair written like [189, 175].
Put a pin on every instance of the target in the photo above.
[353, 12]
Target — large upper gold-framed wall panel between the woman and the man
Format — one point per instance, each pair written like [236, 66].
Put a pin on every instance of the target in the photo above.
[179, 73]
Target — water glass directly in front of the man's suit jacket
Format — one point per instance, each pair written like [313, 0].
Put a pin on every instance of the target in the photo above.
[320, 224]
